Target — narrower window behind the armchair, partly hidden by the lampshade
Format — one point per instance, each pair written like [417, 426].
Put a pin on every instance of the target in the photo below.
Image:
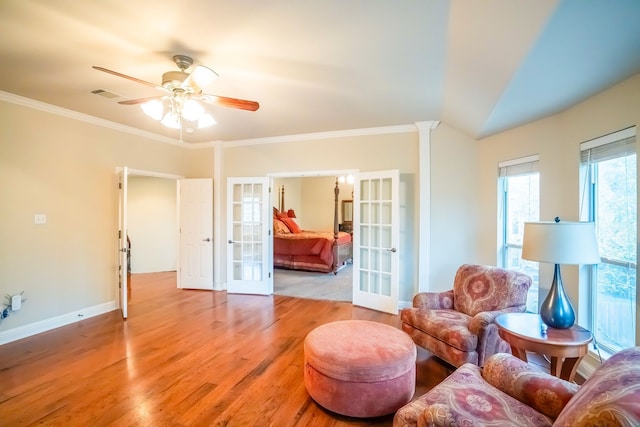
[519, 185]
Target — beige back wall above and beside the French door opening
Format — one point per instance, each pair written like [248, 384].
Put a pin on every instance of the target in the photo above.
[363, 153]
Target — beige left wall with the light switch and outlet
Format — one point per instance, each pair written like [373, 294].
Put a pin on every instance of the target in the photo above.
[65, 169]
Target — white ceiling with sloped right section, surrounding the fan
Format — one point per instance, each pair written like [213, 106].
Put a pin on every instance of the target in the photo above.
[330, 65]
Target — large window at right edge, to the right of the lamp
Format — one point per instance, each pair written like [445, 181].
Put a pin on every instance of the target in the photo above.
[609, 170]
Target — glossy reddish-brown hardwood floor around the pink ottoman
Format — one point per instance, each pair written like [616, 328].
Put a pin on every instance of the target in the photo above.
[183, 358]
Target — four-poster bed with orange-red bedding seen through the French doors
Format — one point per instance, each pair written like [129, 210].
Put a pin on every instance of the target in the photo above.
[296, 249]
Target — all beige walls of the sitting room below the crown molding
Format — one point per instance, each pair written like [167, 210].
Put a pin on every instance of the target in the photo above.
[65, 169]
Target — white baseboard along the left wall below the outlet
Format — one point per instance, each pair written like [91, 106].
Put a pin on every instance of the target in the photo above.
[55, 322]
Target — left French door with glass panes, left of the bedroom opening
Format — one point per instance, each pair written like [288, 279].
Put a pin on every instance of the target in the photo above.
[249, 264]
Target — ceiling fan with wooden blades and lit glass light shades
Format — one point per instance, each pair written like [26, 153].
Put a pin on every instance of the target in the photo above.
[182, 93]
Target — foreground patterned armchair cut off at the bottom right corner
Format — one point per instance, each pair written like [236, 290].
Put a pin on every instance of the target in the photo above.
[510, 392]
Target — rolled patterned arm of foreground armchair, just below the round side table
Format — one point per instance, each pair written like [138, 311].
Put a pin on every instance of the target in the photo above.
[545, 393]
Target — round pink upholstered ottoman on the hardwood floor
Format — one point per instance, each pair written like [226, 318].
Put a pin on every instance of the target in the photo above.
[359, 368]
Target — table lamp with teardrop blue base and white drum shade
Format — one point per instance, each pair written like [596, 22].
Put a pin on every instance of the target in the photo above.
[558, 243]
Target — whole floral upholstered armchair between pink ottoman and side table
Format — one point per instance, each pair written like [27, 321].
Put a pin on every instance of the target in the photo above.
[458, 325]
